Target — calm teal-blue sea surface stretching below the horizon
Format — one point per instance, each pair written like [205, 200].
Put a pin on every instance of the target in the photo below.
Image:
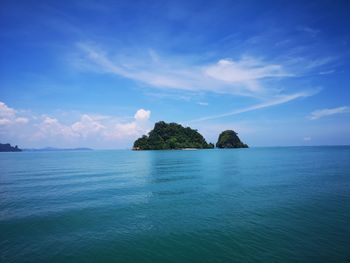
[288, 204]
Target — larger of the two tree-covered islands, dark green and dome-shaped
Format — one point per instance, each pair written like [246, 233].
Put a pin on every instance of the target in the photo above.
[171, 136]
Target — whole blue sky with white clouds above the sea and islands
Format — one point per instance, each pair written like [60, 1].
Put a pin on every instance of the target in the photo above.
[99, 74]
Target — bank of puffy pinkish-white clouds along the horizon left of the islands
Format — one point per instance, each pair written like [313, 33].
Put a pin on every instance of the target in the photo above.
[87, 130]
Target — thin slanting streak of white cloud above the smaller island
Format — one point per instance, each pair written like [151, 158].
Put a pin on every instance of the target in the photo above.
[269, 103]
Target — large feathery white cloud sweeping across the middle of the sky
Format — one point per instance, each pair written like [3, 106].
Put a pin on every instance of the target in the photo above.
[239, 77]
